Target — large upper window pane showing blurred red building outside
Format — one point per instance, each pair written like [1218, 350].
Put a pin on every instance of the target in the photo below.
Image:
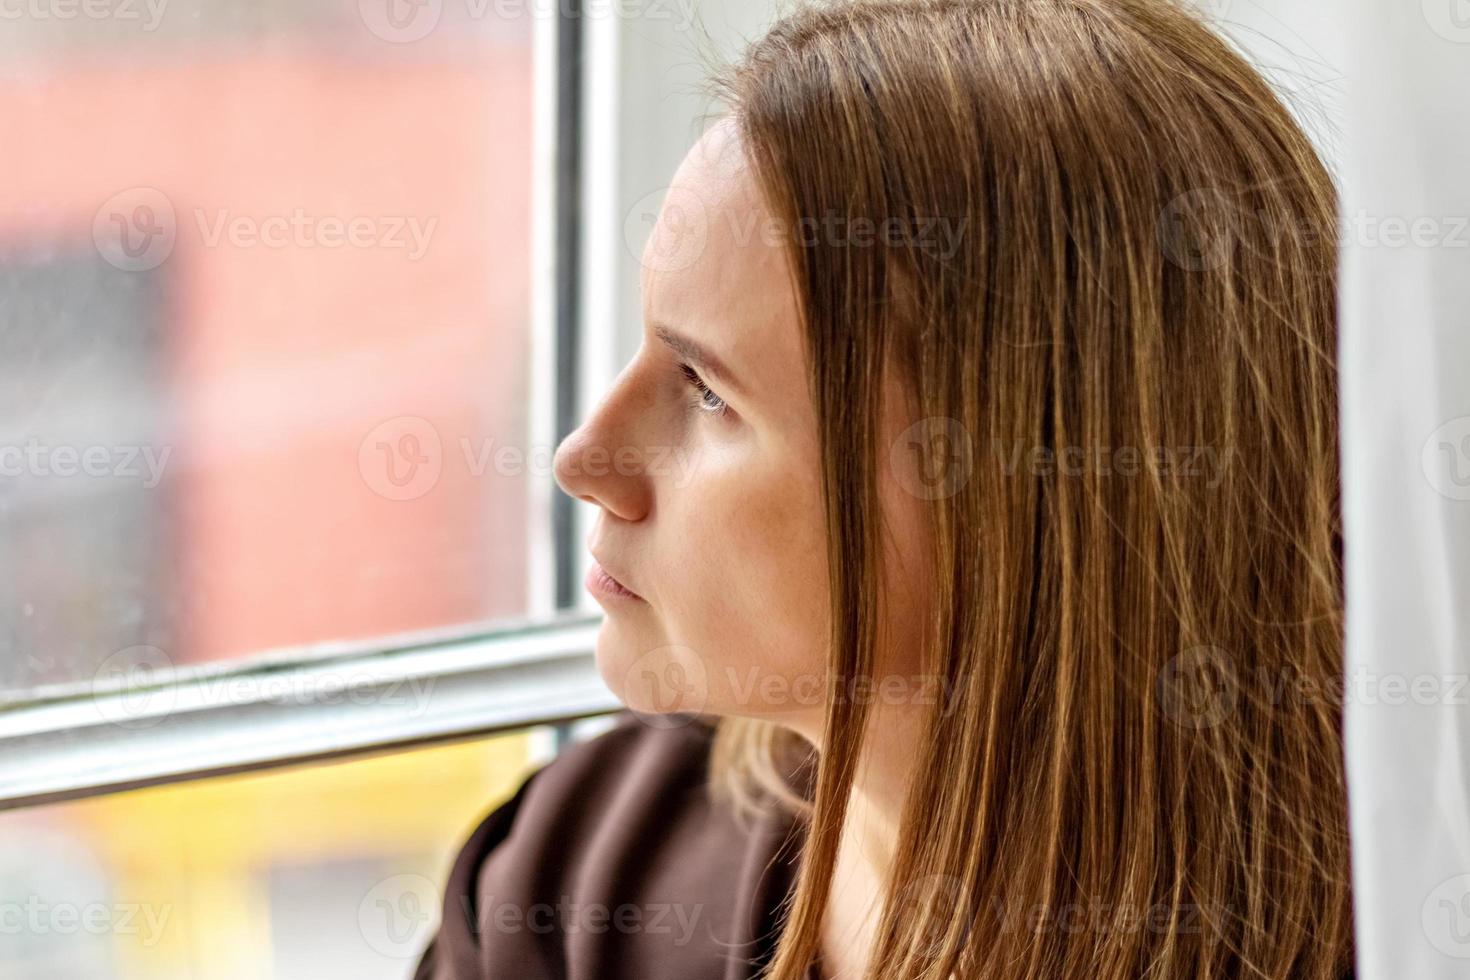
[264, 320]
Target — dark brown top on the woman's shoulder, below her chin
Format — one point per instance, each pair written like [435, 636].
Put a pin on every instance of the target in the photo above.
[612, 863]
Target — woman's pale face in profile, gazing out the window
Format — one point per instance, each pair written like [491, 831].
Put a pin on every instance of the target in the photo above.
[703, 461]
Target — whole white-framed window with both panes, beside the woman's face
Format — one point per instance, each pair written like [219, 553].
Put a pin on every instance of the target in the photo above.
[296, 300]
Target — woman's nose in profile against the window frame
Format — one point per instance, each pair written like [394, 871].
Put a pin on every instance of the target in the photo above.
[598, 464]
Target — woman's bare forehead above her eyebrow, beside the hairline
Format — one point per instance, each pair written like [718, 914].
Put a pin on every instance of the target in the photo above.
[715, 267]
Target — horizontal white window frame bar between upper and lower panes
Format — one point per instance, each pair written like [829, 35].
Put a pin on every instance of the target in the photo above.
[292, 707]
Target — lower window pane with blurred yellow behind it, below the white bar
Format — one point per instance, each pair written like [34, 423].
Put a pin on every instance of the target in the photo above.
[315, 873]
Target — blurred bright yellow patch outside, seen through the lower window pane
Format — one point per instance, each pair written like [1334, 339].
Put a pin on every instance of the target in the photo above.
[192, 854]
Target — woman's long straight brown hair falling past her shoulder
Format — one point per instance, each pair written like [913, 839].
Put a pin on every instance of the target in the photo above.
[1128, 367]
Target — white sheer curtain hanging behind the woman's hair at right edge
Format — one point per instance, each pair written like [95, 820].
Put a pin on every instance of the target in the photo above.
[1406, 425]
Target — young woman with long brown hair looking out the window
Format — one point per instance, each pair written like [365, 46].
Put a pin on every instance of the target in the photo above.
[968, 533]
